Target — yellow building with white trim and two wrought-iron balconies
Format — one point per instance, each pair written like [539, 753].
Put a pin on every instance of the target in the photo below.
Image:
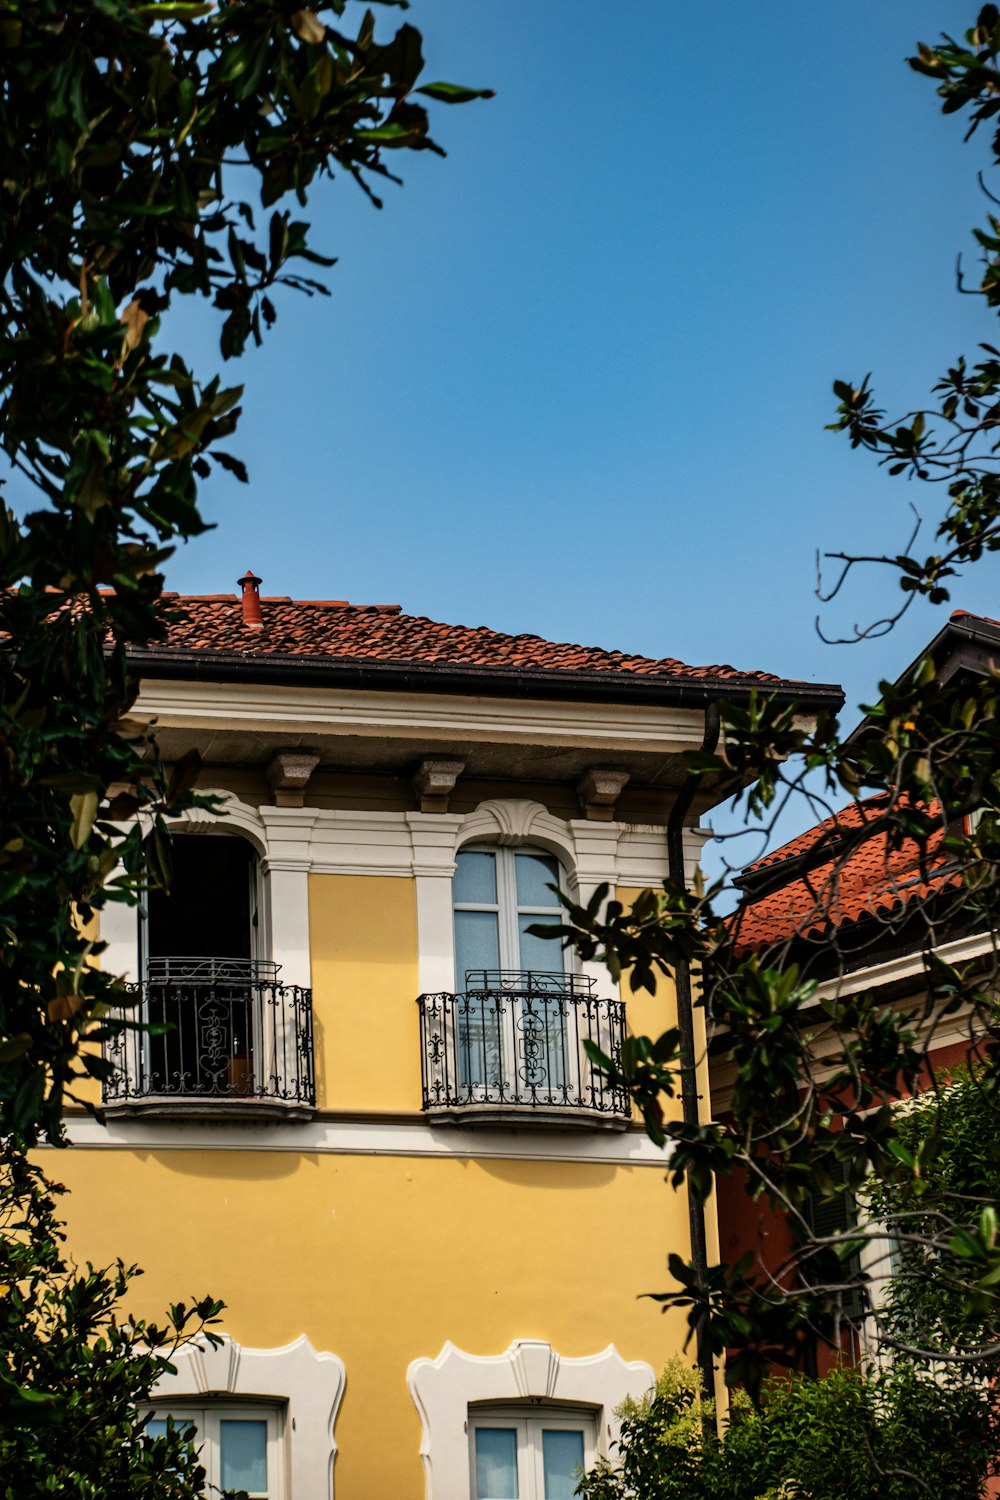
[370, 1123]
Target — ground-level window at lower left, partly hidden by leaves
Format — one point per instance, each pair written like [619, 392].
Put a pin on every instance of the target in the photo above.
[241, 1447]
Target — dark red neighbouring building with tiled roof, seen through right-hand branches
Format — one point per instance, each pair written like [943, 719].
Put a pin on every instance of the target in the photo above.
[858, 920]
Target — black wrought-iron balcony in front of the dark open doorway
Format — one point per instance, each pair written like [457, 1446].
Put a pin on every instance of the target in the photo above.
[221, 1037]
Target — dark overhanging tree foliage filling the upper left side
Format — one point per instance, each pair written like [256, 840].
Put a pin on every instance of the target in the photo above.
[149, 154]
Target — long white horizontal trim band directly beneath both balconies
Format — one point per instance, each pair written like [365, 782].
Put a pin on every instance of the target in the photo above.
[368, 1139]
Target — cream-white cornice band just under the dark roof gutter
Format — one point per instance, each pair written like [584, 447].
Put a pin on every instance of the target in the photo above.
[446, 718]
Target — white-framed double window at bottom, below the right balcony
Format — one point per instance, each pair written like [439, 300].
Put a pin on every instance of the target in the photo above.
[528, 1456]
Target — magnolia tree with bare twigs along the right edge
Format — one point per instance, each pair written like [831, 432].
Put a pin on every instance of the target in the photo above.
[819, 1075]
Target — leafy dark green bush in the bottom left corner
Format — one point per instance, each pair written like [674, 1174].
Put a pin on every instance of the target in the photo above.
[77, 1372]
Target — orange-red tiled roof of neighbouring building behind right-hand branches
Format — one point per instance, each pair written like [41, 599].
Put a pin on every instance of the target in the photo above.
[843, 887]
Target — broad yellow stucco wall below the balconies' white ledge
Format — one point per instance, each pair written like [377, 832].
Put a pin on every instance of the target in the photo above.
[382, 1259]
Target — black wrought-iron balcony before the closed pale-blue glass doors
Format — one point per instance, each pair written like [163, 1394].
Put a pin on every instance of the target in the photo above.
[510, 1052]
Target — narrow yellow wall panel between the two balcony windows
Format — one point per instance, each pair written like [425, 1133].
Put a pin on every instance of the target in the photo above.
[364, 943]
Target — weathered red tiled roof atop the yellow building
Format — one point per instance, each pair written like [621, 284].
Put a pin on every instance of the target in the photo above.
[337, 631]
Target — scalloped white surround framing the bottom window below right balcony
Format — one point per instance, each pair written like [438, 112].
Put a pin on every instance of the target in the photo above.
[530, 1370]
